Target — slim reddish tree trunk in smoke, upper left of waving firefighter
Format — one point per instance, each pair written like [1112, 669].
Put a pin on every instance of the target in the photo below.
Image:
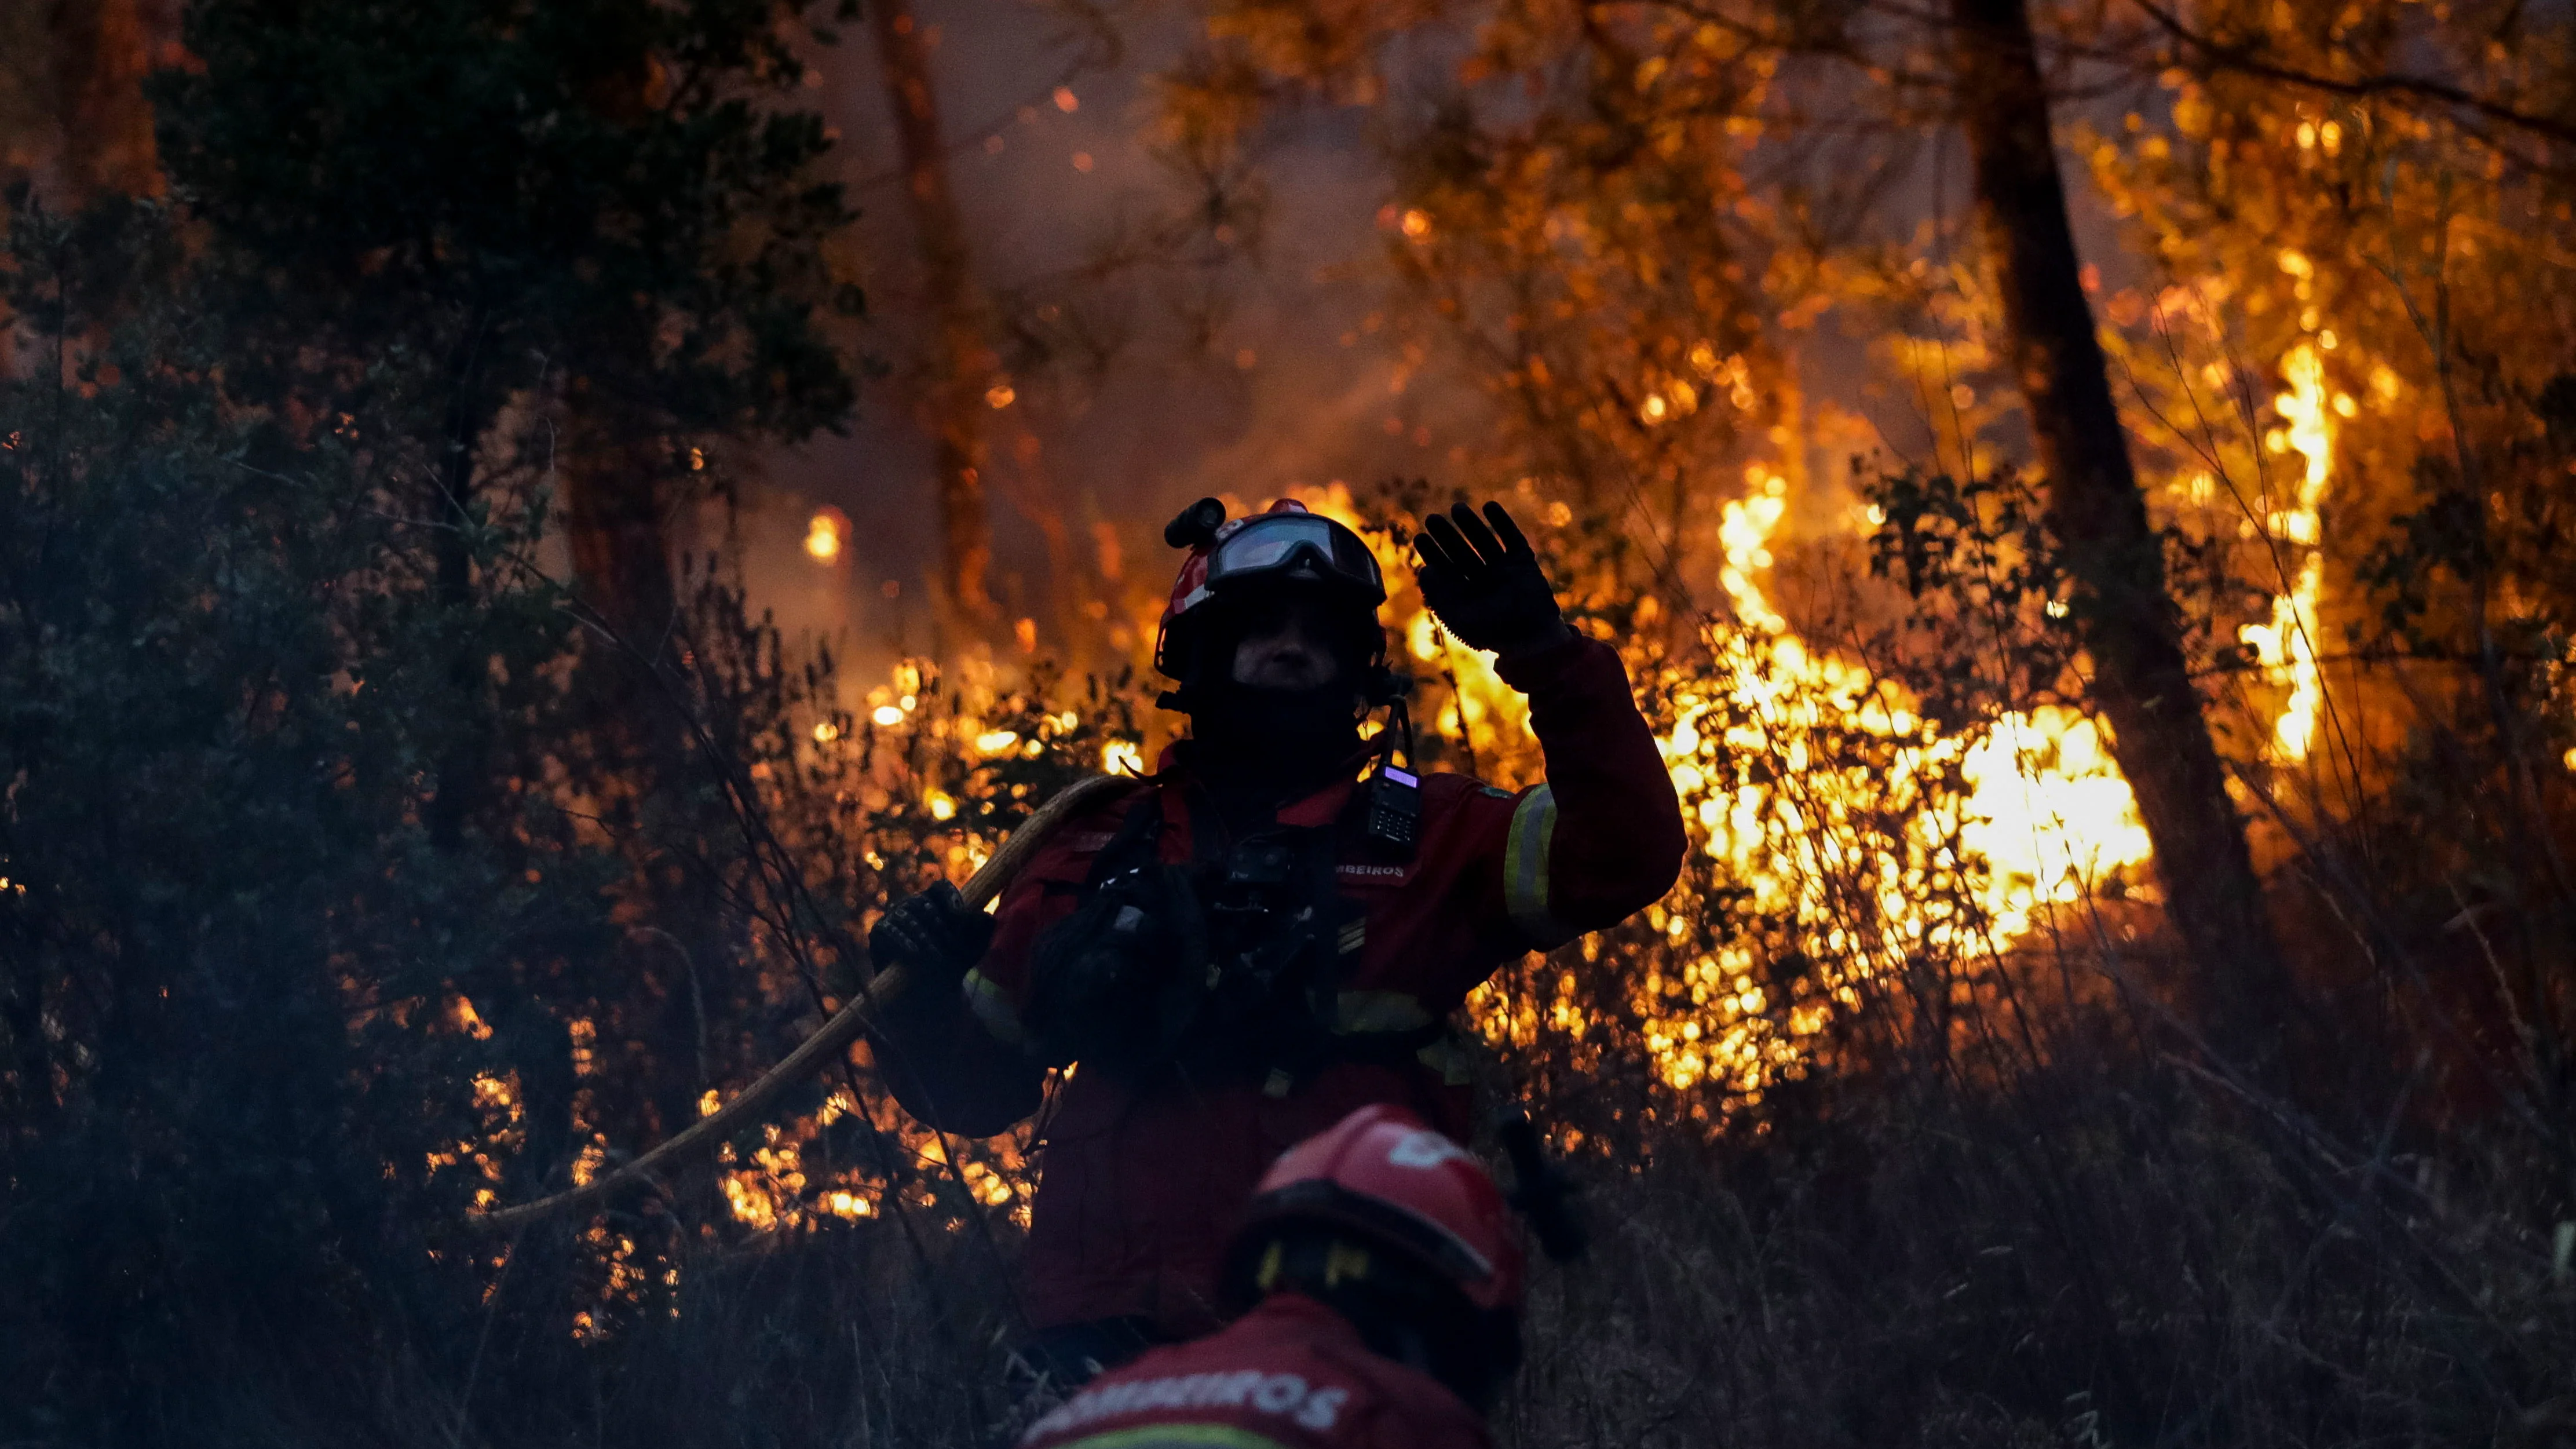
[962, 360]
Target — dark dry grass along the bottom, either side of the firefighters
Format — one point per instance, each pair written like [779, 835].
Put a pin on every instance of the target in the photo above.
[2101, 1252]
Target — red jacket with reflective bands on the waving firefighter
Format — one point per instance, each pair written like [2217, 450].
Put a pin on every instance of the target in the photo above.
[1142, 1185]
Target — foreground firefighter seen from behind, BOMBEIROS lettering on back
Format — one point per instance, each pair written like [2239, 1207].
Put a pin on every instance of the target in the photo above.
[1390, 1311]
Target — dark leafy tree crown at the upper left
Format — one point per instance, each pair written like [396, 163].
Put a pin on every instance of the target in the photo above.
[511, 190]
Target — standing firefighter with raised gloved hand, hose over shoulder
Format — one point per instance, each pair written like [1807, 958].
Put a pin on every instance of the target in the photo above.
[1276, 927]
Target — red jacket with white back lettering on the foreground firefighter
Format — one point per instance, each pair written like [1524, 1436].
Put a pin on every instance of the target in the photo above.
[1289, 1376]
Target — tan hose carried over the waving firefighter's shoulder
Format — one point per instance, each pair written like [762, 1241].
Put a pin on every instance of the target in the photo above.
[823, 1045]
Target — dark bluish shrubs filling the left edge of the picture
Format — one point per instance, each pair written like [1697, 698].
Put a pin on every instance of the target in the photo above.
[231, 948]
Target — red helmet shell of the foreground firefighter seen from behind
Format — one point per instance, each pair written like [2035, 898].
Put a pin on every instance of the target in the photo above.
[1387, 1177]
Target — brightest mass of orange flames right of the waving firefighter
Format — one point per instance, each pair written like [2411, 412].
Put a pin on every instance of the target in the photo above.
[2047, 819]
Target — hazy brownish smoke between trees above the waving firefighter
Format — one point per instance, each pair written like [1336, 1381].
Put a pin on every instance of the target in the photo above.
[1243, 370]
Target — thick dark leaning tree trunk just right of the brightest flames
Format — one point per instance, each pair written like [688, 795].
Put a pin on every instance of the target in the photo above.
[2116, 563]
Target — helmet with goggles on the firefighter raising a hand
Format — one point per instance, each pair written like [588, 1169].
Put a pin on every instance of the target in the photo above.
[1279, 545]
